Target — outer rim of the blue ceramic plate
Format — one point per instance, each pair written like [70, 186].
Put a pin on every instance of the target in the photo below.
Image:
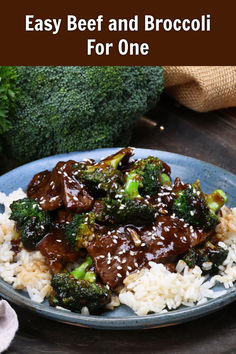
[120, 322]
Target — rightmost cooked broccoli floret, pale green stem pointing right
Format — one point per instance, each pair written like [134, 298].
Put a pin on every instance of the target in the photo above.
[199, 209]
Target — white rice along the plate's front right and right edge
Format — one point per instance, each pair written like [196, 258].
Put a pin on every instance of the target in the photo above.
[157, 289]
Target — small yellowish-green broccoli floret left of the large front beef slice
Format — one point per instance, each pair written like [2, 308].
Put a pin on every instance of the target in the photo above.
[81, 230]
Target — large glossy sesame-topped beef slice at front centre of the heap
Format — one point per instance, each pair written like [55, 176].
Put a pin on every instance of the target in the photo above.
[115, 254]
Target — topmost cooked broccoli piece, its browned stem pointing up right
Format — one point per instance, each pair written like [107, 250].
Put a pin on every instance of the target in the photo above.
[104, 175]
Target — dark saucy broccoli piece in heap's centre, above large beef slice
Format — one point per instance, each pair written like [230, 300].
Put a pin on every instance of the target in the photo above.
[125, 210]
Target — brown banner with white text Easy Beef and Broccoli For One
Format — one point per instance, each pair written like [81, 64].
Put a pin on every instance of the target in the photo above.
[117, 33]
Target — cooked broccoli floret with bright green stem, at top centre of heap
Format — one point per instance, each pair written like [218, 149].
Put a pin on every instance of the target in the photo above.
[146, 177]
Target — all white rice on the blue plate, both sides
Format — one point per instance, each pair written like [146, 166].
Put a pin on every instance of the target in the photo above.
[149, 290]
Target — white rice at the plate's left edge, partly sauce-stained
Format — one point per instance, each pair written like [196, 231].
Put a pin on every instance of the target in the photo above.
[26, 270]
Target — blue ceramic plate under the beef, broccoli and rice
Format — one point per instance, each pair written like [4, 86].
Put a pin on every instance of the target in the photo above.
[188, 169]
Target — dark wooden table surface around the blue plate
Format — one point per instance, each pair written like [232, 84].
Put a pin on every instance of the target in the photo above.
[210, 137]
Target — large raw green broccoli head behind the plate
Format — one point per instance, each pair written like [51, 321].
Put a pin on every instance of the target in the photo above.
[69, 108]
